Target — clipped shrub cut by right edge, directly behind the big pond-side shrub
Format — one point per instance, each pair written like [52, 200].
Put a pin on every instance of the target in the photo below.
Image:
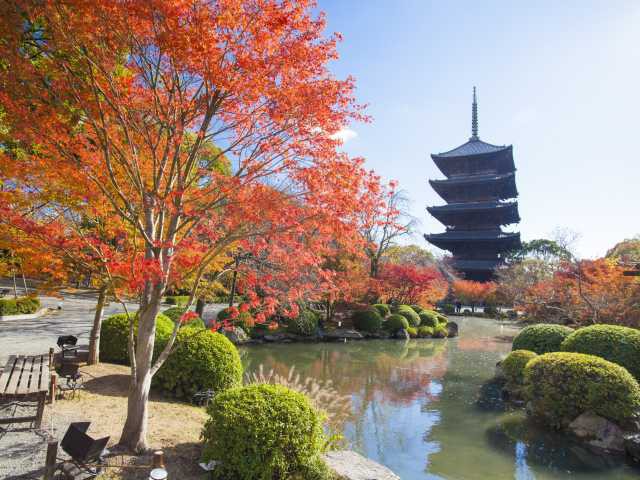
[617, 344]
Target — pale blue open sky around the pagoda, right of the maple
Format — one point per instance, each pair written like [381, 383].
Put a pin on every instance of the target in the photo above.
[558, 80]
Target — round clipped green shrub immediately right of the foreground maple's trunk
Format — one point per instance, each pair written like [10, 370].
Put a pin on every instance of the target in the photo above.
[200, 360]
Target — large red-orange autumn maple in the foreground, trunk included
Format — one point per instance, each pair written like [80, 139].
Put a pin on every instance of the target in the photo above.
[112, 103]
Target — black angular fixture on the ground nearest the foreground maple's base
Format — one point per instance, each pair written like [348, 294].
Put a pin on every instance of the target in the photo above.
[85, 452]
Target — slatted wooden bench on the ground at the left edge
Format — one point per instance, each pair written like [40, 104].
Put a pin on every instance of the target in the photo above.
[25, 379]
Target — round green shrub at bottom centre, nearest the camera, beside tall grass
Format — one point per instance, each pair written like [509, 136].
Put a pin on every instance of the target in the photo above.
[261, 432]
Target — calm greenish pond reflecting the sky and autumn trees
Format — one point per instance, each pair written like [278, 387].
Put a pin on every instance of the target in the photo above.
[424, 407]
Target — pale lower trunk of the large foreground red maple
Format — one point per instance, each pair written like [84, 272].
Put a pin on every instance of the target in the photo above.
[134, 433]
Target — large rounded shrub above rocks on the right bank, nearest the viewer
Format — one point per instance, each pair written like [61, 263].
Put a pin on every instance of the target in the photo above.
[562, 385]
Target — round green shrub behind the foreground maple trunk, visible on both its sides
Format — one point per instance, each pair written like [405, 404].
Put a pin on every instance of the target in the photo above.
[115, 334]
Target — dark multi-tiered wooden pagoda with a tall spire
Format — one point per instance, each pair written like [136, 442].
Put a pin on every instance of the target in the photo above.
[478, 190]
